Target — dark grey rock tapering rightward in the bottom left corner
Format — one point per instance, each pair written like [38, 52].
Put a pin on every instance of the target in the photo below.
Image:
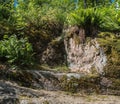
[10, 93]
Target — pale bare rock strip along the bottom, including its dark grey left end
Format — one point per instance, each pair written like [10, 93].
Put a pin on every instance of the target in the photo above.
[11, 93]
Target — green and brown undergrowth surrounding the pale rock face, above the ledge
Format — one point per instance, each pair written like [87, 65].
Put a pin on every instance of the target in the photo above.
[33, 27]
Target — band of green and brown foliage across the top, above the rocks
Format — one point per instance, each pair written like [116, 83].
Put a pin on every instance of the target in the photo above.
[43, 20]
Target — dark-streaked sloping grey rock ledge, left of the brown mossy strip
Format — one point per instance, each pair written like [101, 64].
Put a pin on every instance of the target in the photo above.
[37, 79]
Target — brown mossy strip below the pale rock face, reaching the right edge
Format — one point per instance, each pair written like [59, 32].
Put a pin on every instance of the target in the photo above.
[90, 84]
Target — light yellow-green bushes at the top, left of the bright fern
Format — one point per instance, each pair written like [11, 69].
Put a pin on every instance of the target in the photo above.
[37, 15]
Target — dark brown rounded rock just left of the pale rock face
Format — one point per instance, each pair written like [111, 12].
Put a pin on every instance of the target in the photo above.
[54, 53]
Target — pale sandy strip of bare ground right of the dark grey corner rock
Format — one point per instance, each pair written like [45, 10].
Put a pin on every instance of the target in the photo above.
[58, 97]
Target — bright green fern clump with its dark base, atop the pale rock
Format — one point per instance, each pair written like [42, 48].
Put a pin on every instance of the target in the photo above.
[88, 19]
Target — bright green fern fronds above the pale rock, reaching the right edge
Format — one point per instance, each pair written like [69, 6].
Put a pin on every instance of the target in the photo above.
[103, 18]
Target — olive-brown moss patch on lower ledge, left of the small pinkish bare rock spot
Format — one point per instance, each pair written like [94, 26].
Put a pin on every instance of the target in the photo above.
[89, 84]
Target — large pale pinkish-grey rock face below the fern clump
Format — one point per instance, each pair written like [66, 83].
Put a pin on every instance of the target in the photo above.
[84, 55]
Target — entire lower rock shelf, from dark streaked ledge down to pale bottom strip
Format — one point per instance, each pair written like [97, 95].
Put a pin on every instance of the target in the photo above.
[16, 87]
